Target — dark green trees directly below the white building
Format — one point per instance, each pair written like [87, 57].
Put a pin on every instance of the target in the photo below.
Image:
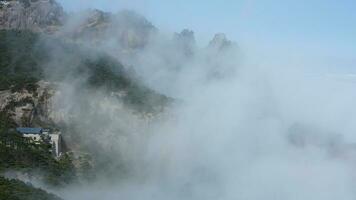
[23, 154]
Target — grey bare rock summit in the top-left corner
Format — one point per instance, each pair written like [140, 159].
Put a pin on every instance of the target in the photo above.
[35, 15]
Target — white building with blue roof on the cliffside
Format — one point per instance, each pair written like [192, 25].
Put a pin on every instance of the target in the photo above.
[38, 134]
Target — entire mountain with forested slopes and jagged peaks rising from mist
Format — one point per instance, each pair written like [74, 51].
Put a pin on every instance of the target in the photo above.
[69, 72]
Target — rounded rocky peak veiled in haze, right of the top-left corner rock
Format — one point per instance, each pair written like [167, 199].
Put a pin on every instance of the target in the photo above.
[126, 29]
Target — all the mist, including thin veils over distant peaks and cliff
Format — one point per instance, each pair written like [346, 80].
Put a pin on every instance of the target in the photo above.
[237, 129]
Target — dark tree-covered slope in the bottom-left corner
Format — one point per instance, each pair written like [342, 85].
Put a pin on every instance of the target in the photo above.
[17, 190]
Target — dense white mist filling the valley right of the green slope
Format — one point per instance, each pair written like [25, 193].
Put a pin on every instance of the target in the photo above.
[264, 132]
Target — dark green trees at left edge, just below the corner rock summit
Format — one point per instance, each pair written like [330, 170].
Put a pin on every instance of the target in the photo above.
[20, 60]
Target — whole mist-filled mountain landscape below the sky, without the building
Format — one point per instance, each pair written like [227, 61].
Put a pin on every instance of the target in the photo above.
[149, 114]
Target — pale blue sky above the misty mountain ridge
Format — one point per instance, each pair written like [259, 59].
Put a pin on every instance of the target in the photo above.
[322, 30]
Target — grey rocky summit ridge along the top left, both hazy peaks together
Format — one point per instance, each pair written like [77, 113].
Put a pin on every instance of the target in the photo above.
[130, 30]
